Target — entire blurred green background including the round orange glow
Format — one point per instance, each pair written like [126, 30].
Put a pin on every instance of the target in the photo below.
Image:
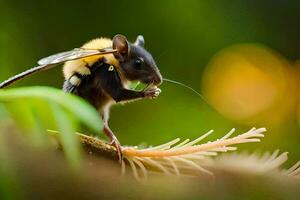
[241, 55]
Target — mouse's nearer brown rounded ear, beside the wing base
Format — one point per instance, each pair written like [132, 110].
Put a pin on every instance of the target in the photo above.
[121, 44]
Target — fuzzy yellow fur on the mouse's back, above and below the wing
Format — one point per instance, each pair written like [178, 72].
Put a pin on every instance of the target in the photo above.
[81, 65]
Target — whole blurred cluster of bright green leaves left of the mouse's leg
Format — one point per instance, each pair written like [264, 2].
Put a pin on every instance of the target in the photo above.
[36, 109]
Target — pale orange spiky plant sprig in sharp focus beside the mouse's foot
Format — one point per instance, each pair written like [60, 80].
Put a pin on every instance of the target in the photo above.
[186, 157]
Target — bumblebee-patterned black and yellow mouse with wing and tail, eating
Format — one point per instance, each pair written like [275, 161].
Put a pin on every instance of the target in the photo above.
[100, 71]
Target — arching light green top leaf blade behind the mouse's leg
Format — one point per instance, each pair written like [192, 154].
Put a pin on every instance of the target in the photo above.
[77, 106]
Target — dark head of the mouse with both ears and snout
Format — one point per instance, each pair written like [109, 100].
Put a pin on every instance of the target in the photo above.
[136, 62]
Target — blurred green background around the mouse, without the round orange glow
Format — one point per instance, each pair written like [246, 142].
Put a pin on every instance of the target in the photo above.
[181, 35]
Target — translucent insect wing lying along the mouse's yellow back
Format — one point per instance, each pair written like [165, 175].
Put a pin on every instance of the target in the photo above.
[73, 55]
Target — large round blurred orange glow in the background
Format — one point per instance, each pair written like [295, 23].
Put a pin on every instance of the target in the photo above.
[251, 84]
